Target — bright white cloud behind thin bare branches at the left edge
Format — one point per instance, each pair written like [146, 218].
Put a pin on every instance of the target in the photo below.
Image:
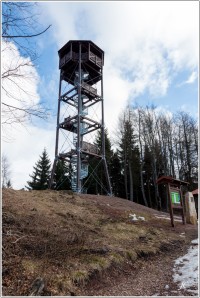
[20, 77]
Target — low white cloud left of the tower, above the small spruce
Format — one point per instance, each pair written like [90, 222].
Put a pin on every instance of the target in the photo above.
[24, 152]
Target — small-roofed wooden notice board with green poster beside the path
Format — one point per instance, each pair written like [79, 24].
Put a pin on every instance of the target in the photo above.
[175, 196]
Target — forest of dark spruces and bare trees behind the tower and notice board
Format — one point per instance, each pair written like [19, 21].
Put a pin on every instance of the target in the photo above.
[148, 144]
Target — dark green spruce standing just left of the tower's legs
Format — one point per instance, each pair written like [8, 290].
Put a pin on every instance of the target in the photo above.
[41, 173]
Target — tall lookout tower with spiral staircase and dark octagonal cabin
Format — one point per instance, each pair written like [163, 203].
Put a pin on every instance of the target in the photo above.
[80, 112]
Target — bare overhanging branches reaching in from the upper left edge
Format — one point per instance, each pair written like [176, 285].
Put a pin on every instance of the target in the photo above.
[19, 28]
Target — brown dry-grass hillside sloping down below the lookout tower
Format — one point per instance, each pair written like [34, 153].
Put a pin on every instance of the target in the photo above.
[68, 239]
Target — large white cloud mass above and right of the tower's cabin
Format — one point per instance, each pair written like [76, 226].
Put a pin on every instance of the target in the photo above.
[146, 43]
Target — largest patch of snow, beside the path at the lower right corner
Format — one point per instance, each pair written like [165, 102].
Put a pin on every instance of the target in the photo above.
[186, 270]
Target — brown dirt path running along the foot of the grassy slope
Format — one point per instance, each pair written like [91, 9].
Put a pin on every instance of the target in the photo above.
[150, 277]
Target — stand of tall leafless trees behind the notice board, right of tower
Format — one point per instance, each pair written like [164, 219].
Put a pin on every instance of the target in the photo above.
[167, 145]
